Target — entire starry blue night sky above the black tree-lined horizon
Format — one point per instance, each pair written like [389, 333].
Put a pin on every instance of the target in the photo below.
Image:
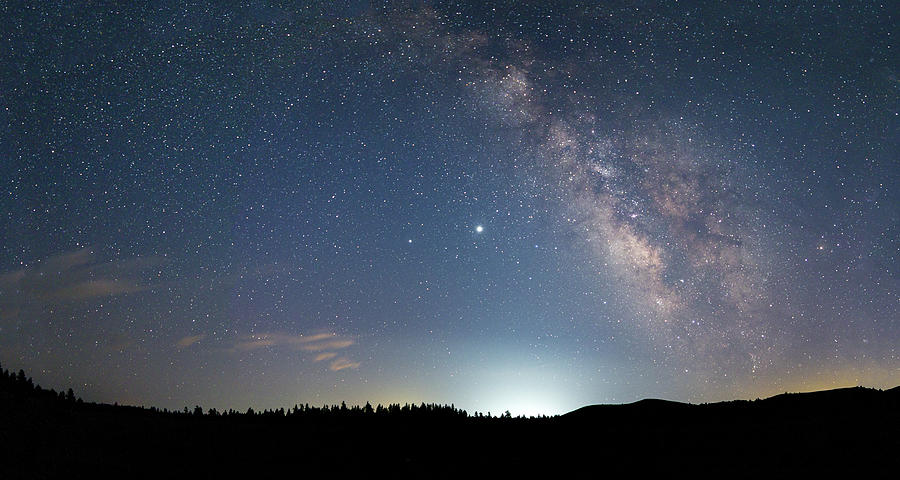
[531, 206]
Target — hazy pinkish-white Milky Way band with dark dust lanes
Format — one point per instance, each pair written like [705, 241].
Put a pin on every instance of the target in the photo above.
[663, 212]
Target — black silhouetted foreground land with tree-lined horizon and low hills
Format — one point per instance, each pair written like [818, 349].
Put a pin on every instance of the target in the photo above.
[45, 434]
